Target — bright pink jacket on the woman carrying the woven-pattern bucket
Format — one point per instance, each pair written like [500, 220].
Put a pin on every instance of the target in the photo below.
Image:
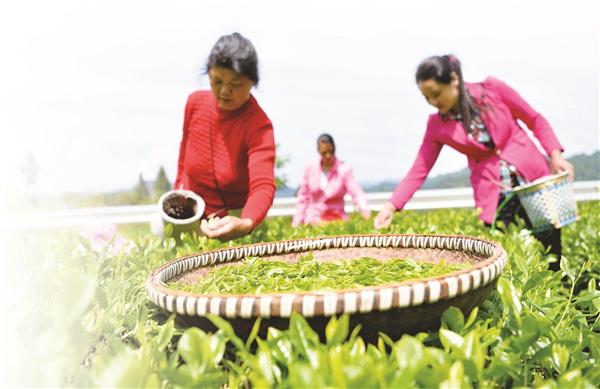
[512, 145]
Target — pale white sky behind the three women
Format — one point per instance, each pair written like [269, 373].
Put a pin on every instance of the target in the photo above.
[95, 90]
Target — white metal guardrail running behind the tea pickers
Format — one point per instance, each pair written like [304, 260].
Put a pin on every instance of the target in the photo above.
[423, 199]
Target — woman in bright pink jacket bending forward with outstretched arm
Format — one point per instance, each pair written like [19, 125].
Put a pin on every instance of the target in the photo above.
[480, 121]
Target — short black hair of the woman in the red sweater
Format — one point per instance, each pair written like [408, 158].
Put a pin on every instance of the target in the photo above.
[236, 53]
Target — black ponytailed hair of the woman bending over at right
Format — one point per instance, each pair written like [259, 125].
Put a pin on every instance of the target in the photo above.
[440, 68]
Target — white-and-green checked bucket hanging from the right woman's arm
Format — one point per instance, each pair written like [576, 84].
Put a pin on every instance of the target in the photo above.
[549, 202]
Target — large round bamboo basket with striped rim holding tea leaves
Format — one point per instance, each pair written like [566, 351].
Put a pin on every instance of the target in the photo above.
[398, 308]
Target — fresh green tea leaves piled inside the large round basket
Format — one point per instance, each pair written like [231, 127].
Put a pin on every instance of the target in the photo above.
[256, 275]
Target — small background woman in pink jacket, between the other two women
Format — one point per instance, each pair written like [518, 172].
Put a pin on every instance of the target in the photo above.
[324, 183]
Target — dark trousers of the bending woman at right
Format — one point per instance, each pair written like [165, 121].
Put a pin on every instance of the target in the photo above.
[548, 238]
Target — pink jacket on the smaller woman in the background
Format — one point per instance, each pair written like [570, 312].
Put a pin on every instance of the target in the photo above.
[313, 202]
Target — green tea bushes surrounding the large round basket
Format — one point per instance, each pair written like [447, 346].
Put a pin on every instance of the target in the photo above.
[78, 317]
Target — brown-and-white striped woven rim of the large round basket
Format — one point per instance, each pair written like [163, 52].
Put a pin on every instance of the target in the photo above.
[491, 267]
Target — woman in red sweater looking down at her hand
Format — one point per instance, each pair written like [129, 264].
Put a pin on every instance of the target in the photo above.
[227, 154]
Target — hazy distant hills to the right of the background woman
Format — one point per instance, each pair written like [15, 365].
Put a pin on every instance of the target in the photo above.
[587, 168]
